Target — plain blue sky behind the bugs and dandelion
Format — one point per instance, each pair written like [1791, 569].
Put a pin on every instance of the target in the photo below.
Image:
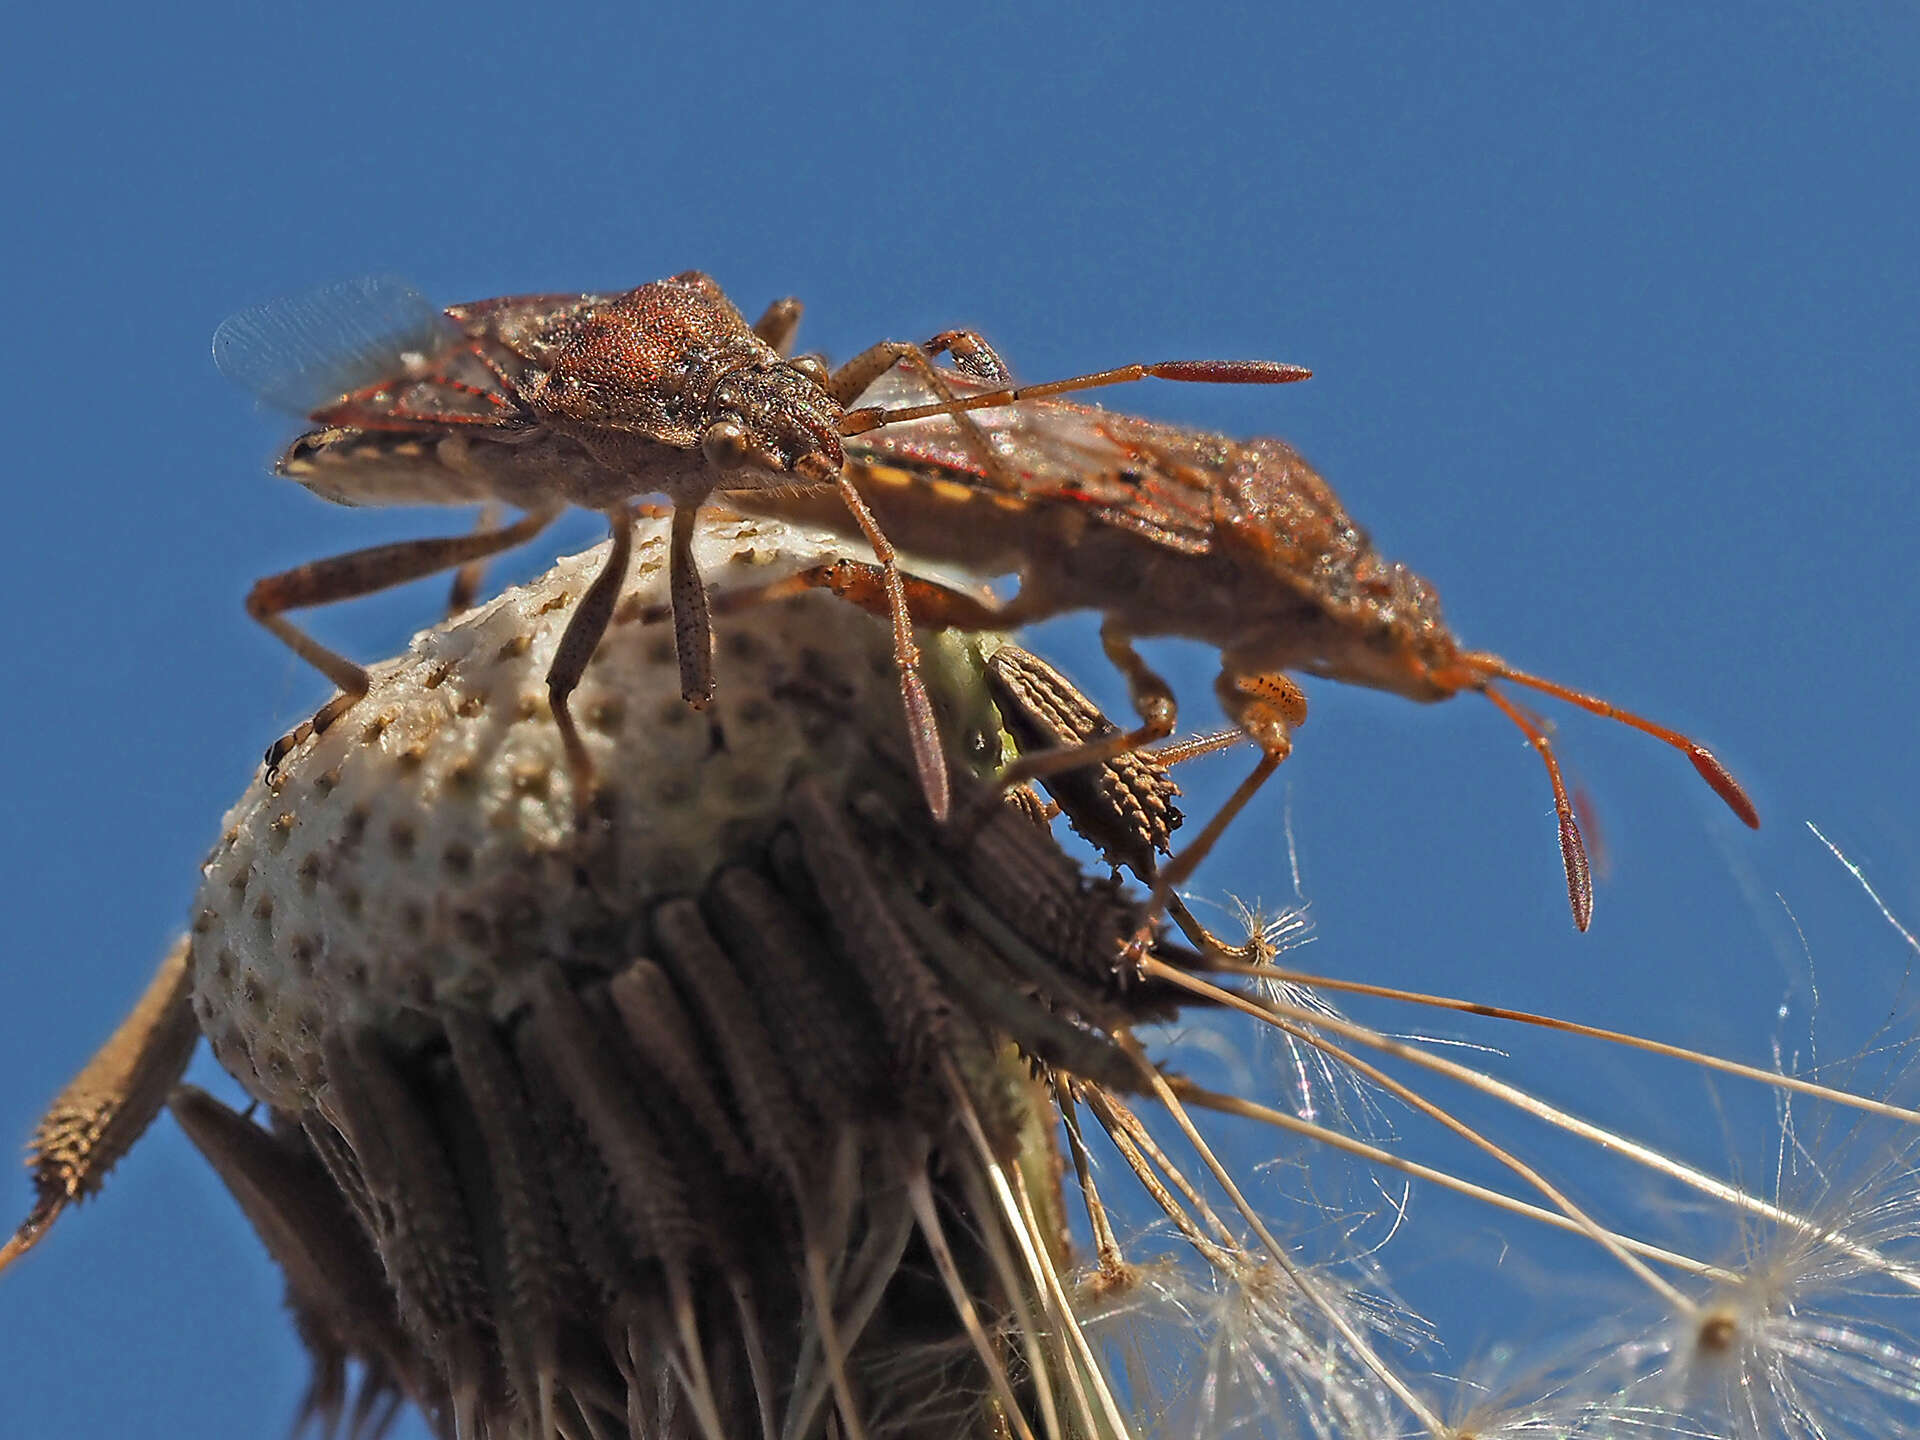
[1616, 329]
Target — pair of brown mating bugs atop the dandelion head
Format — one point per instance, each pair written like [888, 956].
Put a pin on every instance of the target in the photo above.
[592, 400]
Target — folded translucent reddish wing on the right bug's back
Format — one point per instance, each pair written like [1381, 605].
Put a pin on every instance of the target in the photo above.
[1130, 473]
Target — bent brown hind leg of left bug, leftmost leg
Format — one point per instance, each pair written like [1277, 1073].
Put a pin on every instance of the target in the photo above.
[364, 573]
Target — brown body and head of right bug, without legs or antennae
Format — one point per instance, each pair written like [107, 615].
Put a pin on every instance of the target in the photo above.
[1166, 533]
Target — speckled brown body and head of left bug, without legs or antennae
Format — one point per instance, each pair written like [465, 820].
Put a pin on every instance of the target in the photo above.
[581, 400]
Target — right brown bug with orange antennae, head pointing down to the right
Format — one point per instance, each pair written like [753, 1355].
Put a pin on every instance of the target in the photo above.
[1174, 533]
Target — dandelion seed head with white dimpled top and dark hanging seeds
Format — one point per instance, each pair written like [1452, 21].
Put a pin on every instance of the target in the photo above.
[708, 1113]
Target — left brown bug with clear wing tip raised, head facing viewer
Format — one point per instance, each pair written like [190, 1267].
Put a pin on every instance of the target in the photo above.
[544, 402]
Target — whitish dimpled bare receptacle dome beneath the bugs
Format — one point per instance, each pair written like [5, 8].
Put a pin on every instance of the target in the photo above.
[423, 852]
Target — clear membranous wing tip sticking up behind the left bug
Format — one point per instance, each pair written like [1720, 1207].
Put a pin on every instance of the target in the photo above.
[308, 352]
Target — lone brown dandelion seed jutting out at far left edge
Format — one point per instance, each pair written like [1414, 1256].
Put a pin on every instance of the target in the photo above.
[103, 1111]
